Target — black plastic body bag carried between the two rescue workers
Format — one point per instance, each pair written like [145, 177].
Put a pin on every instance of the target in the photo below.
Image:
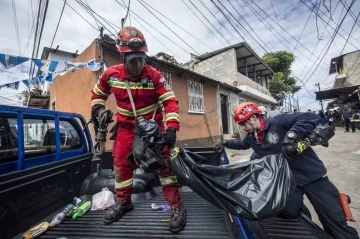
[254, 190]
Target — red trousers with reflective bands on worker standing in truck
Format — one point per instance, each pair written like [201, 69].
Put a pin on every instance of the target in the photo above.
[124, 170]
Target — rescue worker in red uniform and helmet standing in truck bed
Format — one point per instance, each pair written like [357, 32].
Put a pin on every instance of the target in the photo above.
[148, 88]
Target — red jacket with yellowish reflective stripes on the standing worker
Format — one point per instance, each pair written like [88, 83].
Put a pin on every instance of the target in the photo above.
[146, 96]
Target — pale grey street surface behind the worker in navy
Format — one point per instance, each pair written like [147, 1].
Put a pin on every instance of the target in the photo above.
[342, 160]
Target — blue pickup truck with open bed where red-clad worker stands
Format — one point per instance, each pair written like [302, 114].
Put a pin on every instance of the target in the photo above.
[46, 160]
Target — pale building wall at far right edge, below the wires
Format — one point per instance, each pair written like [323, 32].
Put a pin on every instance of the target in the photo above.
[351, 65]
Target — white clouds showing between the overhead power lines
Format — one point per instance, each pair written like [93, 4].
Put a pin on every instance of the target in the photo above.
[75, 34]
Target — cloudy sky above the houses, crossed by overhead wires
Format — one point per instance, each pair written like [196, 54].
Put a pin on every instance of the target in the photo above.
[278, 24]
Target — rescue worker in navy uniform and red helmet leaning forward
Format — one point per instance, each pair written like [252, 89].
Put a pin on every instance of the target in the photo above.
[280, 134]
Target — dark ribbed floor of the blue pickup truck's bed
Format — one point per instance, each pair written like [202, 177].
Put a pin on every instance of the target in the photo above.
[203, 221]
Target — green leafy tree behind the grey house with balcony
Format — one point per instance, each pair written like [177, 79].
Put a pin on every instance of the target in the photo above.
[282, 82]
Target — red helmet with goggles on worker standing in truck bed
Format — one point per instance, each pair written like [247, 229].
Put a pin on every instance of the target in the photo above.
[131, 39]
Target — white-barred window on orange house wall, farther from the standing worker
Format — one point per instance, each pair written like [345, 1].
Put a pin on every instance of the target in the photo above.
[196, 96]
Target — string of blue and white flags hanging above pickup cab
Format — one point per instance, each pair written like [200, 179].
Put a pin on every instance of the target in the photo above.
[47, 67]
